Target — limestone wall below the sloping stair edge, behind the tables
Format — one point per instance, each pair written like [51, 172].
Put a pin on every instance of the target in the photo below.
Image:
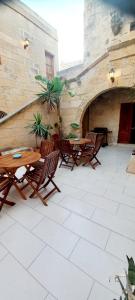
[13, 133]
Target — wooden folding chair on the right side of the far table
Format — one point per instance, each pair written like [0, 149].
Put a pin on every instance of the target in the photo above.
[90, 154]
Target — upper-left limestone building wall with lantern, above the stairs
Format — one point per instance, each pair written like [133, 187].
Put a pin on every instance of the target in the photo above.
[18, 66]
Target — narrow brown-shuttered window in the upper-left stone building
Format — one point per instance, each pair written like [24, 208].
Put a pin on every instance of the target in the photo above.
[49, 65]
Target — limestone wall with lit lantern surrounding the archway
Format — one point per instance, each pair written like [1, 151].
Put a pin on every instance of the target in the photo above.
[96, 81]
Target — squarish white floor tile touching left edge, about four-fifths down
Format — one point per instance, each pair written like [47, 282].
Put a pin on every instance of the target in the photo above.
[22, 244]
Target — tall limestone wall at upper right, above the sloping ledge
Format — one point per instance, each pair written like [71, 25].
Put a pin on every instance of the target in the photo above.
[104, 27]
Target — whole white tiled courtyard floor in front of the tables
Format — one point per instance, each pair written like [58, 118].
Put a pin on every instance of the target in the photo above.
[70, 249]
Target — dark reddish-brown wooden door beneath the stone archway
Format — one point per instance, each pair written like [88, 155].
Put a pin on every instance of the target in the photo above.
[125, 125]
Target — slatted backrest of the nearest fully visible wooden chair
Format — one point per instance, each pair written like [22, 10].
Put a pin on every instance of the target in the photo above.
[49, 166]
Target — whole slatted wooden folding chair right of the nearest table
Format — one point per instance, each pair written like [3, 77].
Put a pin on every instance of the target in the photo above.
[40, 177]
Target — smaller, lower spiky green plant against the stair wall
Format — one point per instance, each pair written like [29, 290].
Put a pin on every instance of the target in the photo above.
[38, 128]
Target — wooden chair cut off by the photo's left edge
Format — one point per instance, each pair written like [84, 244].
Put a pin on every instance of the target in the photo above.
[5, 185]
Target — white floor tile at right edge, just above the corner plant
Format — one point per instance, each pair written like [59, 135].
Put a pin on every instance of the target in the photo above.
[120, 246]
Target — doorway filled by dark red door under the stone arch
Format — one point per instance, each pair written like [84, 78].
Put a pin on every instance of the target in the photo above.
[127, 123]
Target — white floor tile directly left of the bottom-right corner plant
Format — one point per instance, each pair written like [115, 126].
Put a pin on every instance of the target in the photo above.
[98, 264]
